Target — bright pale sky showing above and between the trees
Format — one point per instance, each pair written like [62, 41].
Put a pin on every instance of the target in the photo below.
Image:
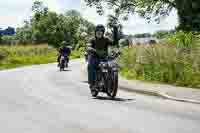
[14, 12]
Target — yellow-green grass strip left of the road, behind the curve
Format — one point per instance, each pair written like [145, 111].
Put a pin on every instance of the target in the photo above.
[18, 55]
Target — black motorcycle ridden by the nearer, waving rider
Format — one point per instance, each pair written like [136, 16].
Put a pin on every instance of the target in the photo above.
[107, 76]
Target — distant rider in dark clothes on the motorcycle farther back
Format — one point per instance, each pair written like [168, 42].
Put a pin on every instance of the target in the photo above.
[64, 50]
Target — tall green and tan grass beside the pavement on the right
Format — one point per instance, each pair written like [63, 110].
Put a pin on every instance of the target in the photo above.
[175, 61]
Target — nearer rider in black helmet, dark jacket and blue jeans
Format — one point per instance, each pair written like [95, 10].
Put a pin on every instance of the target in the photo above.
[99, 46]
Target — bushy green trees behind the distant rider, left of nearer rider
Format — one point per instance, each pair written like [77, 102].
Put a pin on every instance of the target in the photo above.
[50, 27]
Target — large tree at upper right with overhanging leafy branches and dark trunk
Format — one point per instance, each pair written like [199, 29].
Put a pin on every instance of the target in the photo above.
[188, 10]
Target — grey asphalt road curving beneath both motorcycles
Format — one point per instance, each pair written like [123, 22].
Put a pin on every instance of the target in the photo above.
[40, 99]
